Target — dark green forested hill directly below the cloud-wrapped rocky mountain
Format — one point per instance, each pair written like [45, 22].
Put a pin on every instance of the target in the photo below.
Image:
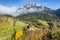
[33, 17]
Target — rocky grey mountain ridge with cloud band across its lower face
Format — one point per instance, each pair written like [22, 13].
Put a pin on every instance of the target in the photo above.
[33, 8]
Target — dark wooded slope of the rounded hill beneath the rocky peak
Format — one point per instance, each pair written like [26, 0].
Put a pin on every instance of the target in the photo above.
[40, 15]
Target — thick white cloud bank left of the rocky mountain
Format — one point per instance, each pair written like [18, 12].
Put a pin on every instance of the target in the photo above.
[8, 10]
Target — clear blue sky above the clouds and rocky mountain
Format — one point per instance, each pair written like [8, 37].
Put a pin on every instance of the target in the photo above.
[54, 4]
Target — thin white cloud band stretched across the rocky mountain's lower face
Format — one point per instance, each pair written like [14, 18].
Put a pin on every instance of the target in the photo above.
[25, 11]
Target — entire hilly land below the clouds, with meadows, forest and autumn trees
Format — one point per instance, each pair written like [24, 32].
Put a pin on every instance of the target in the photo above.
[31, 26]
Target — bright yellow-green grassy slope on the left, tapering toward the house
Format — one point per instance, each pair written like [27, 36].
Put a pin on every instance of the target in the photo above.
[6, 26]
